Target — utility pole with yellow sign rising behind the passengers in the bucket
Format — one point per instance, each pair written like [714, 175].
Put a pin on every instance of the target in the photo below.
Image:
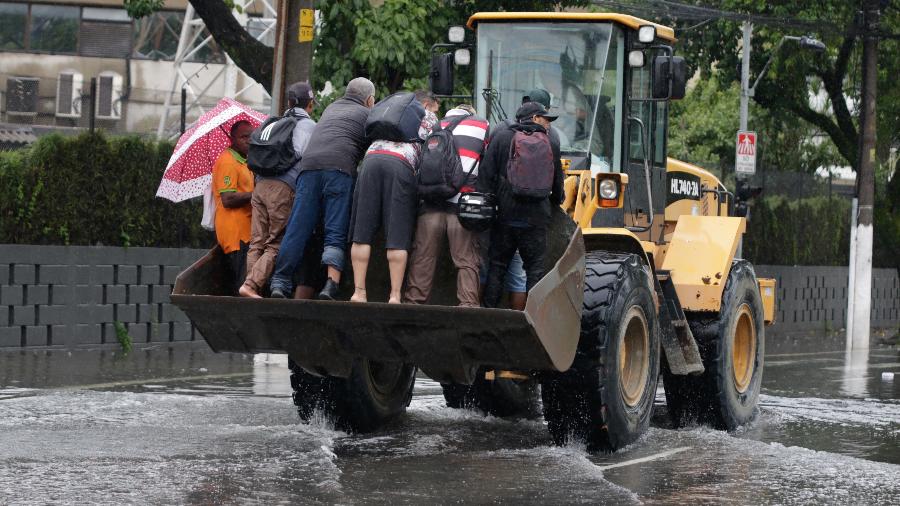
[293, 49]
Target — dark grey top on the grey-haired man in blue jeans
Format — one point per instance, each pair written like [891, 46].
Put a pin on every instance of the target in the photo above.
[339, 139]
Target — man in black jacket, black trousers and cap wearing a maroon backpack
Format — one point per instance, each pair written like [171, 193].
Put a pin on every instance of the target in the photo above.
[522, 220]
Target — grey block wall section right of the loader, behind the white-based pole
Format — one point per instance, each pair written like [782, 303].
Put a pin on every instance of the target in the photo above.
[815, 298]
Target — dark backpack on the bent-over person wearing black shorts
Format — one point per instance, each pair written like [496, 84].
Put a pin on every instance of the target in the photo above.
[396, 118]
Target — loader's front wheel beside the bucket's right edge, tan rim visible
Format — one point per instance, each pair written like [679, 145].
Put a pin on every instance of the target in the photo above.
[606, 398]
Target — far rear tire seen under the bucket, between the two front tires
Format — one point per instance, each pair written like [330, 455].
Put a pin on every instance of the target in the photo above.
[501, 397]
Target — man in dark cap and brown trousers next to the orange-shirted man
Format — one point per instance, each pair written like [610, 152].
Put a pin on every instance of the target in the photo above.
[273, 197]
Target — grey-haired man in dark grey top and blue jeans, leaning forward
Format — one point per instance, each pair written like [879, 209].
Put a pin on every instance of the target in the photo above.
[325, 188]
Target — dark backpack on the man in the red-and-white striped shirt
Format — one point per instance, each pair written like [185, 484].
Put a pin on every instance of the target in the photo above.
[440, 174]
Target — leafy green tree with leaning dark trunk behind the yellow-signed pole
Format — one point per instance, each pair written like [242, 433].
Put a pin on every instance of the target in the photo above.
[388, 44]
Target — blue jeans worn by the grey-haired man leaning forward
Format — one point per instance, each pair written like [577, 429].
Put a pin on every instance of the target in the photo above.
[323, 194]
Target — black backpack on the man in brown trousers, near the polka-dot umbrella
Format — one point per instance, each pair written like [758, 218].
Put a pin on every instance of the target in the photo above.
[272, 146]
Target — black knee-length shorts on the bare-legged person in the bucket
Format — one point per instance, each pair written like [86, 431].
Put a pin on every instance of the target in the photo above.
[385, 197]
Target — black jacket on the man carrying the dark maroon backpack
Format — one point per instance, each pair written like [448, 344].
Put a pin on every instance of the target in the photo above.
[492, 179]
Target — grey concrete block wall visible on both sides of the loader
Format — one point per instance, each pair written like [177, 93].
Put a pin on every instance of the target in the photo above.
[65, 296]
